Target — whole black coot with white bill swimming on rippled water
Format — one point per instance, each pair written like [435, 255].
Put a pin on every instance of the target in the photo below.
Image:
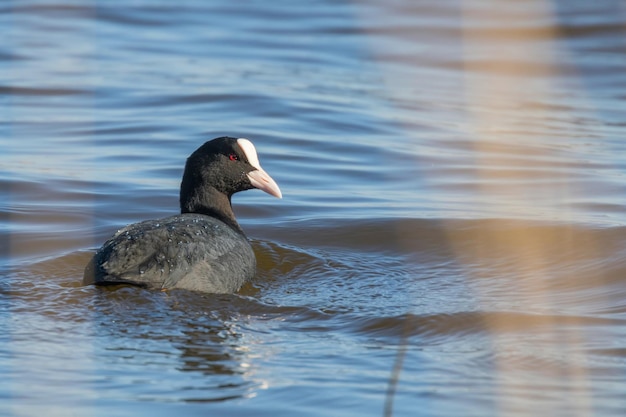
[201, 249]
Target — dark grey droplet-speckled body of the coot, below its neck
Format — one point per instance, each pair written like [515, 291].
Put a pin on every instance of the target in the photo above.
[189, 251]
